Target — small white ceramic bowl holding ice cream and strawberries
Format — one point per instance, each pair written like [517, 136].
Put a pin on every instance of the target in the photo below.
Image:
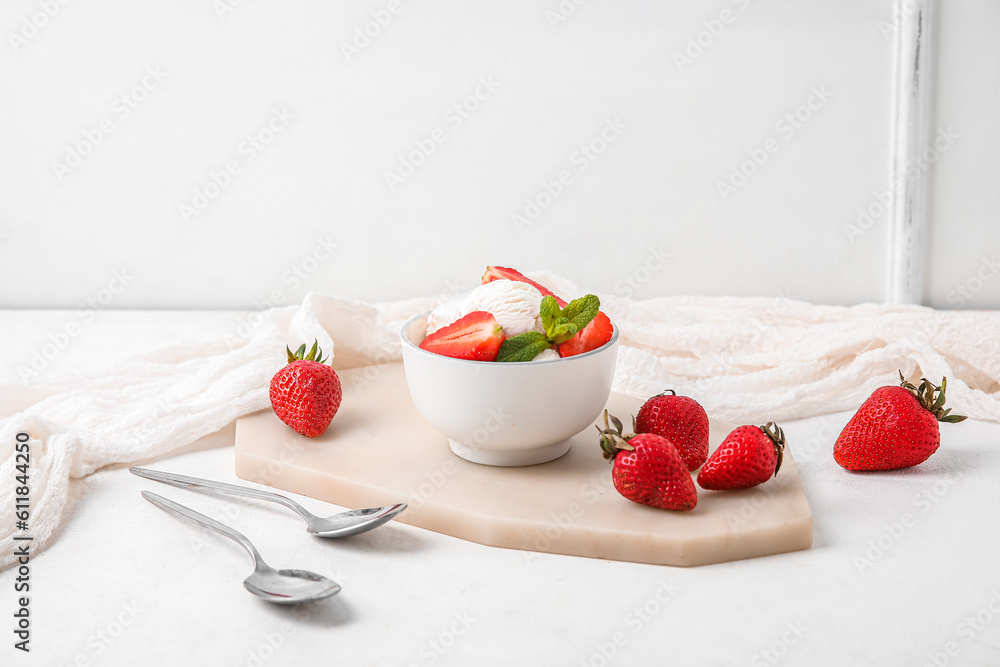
[507, 414]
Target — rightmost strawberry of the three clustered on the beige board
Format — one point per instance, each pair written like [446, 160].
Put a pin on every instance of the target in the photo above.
[749, 456]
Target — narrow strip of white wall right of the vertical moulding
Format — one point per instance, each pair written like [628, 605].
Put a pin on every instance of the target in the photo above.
[963, 258]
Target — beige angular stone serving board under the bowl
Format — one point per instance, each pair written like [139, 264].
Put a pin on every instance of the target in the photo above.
[378, 450]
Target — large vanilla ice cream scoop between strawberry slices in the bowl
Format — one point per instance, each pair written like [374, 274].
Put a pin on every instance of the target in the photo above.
[515, 306]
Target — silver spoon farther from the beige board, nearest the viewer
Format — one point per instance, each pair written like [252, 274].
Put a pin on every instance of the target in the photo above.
[278, 586]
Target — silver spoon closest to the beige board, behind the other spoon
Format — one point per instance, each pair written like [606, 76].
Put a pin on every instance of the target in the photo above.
[344, 524]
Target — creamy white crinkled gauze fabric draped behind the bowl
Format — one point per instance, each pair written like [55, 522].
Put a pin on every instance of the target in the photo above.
[745, 360]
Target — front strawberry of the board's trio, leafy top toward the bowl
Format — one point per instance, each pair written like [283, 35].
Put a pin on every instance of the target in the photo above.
[647, 469]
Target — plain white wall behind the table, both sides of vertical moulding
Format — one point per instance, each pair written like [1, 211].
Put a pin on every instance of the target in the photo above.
[787, 230]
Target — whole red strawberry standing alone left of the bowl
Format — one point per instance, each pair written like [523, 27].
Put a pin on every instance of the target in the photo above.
[306, 393]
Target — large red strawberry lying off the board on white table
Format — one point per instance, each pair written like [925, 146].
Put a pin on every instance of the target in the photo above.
[897, 427]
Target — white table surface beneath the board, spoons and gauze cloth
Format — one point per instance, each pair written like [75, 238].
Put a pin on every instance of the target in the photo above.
[126, 584]
